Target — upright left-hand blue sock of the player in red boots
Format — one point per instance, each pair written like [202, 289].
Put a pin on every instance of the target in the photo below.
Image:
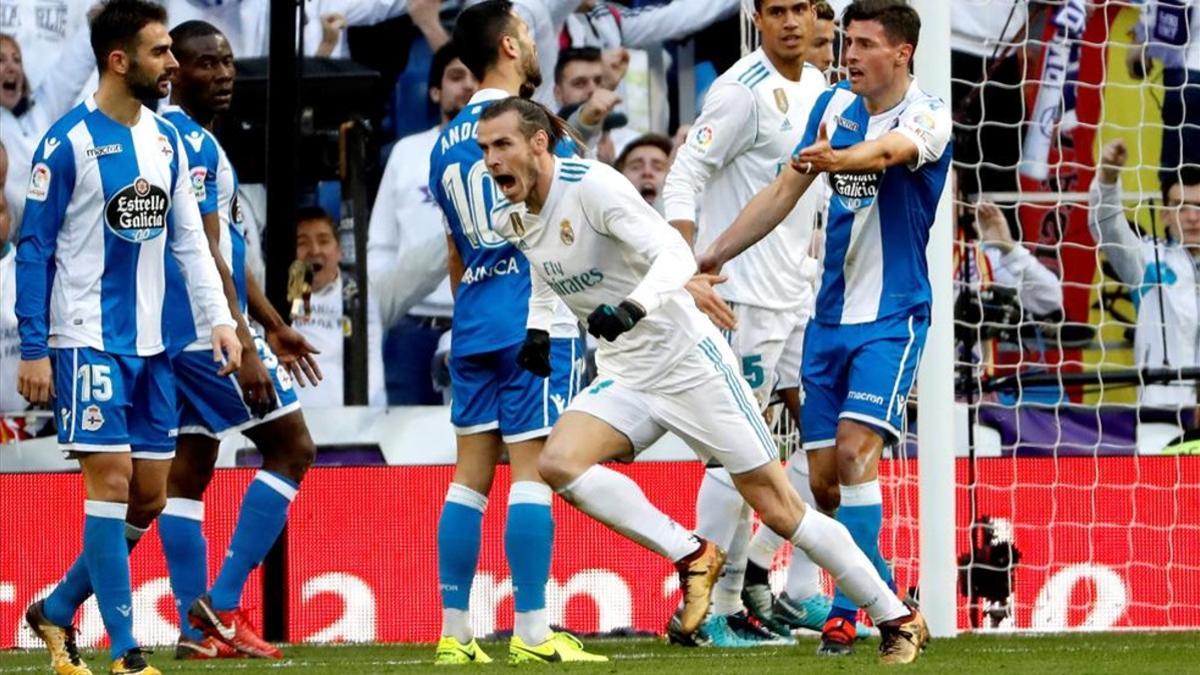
[188, 557]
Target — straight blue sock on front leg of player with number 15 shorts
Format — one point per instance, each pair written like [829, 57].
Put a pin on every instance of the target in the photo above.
[109, 565]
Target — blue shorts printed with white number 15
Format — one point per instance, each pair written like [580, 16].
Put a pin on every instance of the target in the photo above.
[115, 404]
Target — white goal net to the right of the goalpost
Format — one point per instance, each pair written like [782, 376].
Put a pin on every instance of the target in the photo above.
[1077, 479]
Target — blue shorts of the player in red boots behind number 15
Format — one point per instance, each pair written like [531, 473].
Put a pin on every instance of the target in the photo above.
[212, 405]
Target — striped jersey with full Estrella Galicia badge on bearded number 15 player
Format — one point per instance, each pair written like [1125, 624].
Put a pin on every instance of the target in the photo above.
[106, 204]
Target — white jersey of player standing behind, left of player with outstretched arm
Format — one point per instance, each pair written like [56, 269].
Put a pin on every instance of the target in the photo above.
[752, 121]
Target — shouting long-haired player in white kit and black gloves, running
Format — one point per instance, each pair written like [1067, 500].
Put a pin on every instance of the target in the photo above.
[593, 242]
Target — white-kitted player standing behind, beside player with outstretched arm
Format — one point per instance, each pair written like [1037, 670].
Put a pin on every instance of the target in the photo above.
[753, 117]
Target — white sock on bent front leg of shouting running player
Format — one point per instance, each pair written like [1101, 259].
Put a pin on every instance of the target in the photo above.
[620, 504]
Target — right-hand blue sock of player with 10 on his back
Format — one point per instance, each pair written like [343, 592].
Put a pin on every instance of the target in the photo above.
[529, 541]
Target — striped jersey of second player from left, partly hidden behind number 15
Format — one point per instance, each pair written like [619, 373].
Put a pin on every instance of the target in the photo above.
[215, 183]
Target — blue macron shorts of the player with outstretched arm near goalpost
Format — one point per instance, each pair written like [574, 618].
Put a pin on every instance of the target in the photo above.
[861, 372]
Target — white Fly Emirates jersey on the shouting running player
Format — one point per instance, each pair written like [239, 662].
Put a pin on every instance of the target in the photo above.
[597, 242]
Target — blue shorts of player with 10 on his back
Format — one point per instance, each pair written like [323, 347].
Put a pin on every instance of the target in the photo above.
[491, 392]
